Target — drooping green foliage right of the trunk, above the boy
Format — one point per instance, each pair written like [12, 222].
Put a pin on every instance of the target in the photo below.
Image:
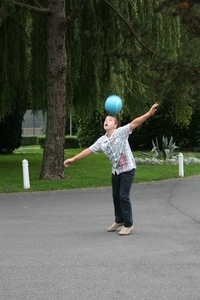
[133, 55]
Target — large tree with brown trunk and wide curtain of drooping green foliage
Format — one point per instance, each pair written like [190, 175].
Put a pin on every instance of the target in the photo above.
[138, 49]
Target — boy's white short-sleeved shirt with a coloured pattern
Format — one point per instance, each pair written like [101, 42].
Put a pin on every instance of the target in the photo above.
[117, 149]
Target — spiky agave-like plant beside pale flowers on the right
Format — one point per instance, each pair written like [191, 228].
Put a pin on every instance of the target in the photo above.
[166, 149]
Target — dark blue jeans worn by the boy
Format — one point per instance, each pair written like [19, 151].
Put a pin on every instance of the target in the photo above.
[121, 186]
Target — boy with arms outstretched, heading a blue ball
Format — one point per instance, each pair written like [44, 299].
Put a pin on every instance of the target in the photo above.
[114, 144]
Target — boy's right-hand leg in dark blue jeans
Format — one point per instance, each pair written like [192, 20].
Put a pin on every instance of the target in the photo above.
[126, 180]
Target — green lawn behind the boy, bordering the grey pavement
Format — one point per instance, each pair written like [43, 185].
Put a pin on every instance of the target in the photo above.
[92, 171]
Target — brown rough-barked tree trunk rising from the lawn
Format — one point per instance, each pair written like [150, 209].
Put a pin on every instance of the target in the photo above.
[52, 165]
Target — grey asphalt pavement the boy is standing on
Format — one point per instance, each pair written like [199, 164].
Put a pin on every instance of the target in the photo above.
[55, 245]
